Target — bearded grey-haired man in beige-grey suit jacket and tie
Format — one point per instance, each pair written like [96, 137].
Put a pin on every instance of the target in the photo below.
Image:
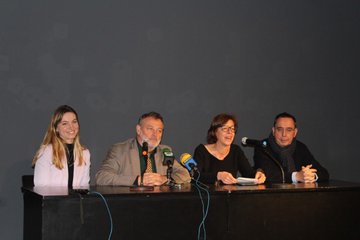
[125, 164]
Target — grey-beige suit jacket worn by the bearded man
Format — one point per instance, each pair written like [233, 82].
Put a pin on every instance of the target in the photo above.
[122, 165]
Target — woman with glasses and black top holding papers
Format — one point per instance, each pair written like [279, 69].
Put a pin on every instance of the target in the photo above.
[220, 159]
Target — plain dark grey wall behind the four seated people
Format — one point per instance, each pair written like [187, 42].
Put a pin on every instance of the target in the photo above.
[189, 60]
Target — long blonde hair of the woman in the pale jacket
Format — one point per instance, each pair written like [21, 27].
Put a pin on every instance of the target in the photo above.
[58, 146]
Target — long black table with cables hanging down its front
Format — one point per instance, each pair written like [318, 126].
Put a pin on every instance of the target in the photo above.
[272, 211]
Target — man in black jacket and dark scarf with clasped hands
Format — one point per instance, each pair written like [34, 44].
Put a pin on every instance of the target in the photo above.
[285, 159]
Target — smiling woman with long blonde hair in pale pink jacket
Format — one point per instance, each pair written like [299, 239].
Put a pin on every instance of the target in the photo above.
[61, 160]
